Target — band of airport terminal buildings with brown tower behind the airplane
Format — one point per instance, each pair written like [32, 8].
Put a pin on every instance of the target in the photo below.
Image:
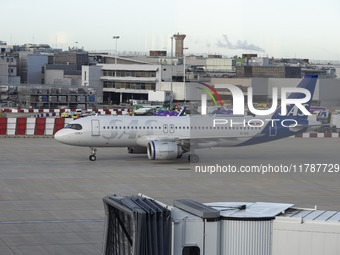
[155, 77]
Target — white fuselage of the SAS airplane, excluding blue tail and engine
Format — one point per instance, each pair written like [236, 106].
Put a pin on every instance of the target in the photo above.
[125, 131]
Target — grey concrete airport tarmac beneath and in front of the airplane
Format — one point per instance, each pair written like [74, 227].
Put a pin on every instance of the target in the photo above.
[51, 194]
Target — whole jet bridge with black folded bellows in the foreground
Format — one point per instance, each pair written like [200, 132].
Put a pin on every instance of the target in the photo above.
[141, 225]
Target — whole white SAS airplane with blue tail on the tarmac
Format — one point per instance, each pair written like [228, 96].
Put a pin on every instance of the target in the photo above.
[169, 137]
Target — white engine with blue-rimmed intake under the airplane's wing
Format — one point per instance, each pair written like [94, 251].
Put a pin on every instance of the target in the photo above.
[164, 150]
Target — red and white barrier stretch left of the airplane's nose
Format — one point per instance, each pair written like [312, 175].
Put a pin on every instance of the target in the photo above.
[32, 126]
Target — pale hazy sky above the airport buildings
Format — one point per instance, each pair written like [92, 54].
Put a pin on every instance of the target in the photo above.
[281, 29]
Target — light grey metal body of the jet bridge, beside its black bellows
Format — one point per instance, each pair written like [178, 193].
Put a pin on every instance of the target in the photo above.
[250, 228]
